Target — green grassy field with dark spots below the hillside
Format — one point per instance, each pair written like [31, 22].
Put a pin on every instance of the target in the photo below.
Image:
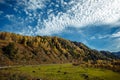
[57, 72]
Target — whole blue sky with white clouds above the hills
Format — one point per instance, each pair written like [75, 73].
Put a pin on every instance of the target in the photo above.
[95, 23]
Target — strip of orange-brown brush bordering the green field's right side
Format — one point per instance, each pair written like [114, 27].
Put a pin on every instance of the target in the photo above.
[104, 64]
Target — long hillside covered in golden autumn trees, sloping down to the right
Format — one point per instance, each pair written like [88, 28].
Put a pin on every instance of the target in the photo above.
[16, 49]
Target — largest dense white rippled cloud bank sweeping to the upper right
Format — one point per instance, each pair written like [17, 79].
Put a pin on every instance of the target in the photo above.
[89, 12]
